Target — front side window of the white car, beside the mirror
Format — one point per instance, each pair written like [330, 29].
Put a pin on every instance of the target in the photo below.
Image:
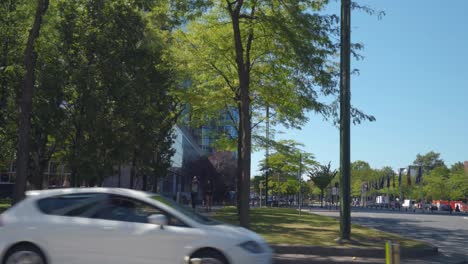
[118, 208]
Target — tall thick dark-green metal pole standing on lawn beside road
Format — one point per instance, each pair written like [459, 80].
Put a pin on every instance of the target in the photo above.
[345, 128]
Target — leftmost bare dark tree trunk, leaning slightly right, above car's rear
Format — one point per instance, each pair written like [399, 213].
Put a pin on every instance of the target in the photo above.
[25, 104]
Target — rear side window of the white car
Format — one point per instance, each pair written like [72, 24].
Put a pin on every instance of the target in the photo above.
[77, 205]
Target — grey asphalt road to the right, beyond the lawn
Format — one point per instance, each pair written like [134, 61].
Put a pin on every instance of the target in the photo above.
[447, 232]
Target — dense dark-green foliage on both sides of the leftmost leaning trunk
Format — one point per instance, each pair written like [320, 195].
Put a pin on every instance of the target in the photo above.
[104, 83]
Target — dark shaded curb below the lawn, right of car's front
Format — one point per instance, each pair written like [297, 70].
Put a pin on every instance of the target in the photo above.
[351, 252]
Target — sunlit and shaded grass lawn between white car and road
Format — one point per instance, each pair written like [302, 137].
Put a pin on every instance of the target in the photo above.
[285, 226]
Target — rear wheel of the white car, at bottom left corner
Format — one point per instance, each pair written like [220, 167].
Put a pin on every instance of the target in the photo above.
[24, 254]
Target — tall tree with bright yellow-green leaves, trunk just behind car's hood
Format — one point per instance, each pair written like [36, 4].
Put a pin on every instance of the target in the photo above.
[249, 55]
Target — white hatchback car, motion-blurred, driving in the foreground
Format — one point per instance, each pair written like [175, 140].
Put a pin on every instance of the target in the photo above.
[110, 225]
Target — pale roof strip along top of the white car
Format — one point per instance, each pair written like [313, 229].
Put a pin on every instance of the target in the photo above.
[55, 192]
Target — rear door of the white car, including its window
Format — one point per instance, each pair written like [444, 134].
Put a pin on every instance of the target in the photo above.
[70, 235]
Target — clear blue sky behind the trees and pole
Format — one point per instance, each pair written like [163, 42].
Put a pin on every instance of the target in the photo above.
[414, 80]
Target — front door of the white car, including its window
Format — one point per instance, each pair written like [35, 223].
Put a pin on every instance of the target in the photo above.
[129, 237]
